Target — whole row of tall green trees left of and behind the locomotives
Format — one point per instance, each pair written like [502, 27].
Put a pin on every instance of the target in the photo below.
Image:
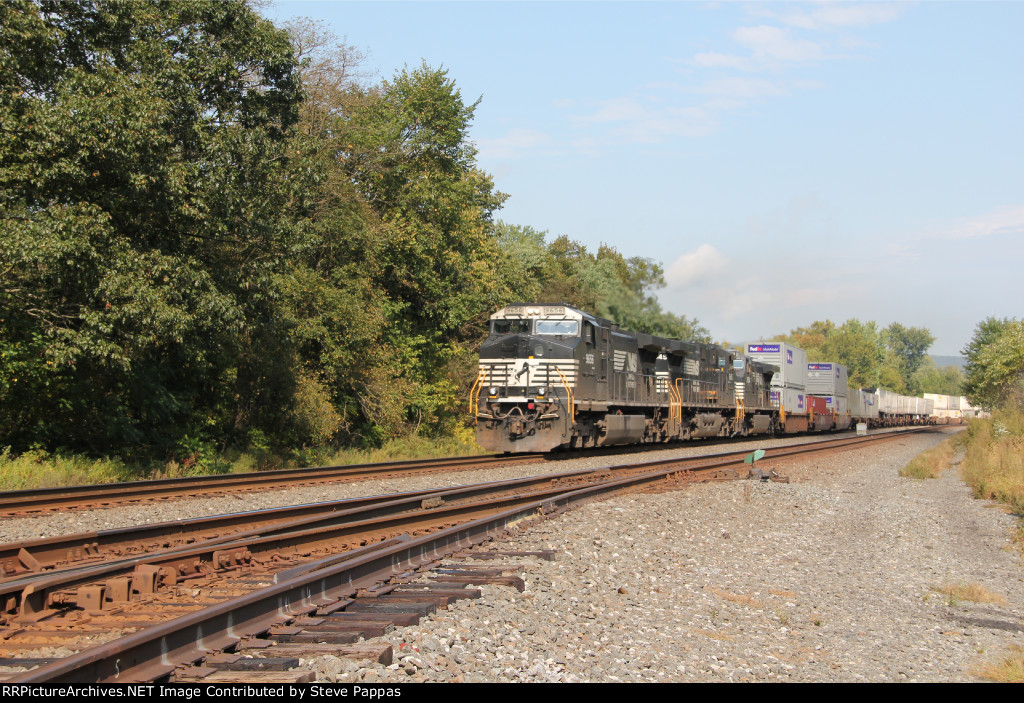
[215, 233]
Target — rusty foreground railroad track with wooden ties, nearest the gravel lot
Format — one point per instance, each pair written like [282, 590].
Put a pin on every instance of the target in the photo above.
[179, 605]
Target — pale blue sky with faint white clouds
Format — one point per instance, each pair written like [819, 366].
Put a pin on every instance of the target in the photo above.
[785, 162]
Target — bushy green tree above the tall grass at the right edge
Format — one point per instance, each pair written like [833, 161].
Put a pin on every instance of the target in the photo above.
[996, 365]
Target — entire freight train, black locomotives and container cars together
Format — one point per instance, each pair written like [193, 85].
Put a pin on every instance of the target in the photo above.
[554, 377]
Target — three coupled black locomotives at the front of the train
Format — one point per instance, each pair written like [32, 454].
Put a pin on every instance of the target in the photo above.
[552, 376]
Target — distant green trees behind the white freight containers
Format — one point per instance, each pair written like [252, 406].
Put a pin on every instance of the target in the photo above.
[893, 358]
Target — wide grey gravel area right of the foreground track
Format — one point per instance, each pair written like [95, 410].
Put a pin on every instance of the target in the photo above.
[832, 578]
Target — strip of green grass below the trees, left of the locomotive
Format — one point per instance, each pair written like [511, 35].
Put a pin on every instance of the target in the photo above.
[37, 469]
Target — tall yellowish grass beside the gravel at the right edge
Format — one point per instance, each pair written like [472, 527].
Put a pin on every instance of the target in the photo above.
[994, 461]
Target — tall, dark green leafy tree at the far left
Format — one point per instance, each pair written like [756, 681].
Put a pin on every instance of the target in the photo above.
[142, 215]
